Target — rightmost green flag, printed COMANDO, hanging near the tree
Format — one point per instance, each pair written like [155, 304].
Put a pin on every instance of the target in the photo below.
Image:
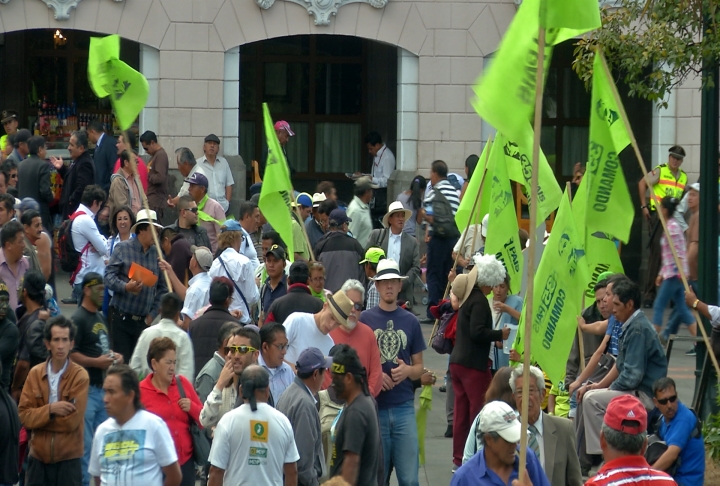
[609, 206]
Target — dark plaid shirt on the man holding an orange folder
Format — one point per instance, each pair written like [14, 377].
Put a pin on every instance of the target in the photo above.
[125, 254]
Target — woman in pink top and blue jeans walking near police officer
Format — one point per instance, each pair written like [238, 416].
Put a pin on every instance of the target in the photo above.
[671, 287]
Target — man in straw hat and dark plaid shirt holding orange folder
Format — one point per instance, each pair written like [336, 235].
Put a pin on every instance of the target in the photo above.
[134, 303]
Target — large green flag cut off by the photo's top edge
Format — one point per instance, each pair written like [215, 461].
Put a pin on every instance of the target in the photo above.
[506, 91]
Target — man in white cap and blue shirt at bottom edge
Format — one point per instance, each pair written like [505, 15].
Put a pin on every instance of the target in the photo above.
[497, 463]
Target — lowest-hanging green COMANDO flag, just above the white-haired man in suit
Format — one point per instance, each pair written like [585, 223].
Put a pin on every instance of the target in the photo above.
[559, 283]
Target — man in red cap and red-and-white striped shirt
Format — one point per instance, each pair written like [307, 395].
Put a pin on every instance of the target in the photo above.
[623, 440]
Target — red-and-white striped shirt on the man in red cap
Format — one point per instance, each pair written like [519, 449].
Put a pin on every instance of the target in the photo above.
[630, 471]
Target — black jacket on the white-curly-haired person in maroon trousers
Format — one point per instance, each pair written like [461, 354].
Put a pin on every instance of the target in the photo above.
[474, 334]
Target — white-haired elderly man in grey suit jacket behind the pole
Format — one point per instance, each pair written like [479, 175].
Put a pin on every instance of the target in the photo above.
[552, 438]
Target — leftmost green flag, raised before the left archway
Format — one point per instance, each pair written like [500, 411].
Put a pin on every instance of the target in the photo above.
[109, 76]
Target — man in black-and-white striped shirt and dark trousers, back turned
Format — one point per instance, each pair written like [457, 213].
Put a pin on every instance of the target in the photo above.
[439, 248]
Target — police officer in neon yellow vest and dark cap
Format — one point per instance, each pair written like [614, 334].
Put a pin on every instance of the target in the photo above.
[665, 180]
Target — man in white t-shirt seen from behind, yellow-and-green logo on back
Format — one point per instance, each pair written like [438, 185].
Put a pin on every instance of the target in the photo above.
[253, 444]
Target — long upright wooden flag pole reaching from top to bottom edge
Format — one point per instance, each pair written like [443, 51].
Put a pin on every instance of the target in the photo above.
[532, 200]
